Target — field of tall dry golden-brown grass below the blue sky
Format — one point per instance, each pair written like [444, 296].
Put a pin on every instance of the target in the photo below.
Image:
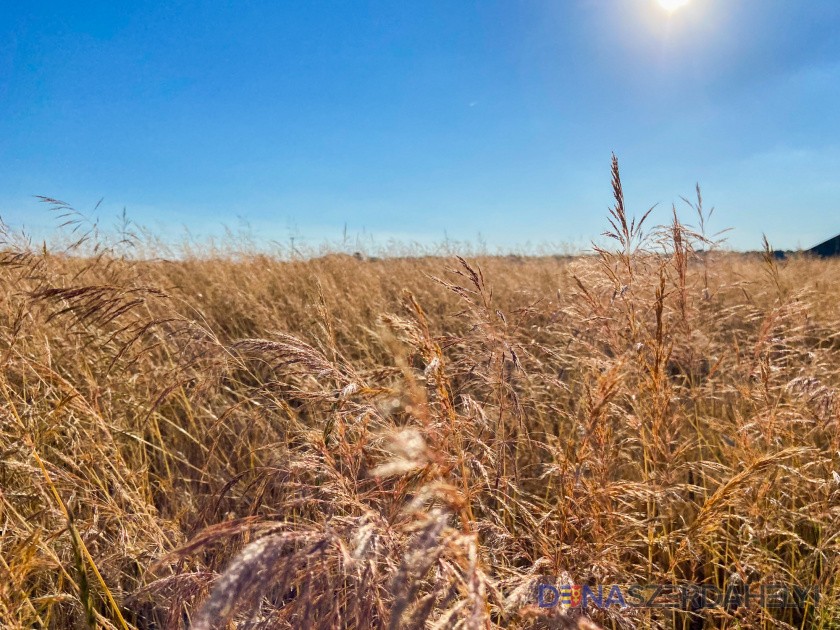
[250, 442]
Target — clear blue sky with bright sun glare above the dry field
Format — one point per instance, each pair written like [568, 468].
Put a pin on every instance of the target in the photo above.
[423, 119]
